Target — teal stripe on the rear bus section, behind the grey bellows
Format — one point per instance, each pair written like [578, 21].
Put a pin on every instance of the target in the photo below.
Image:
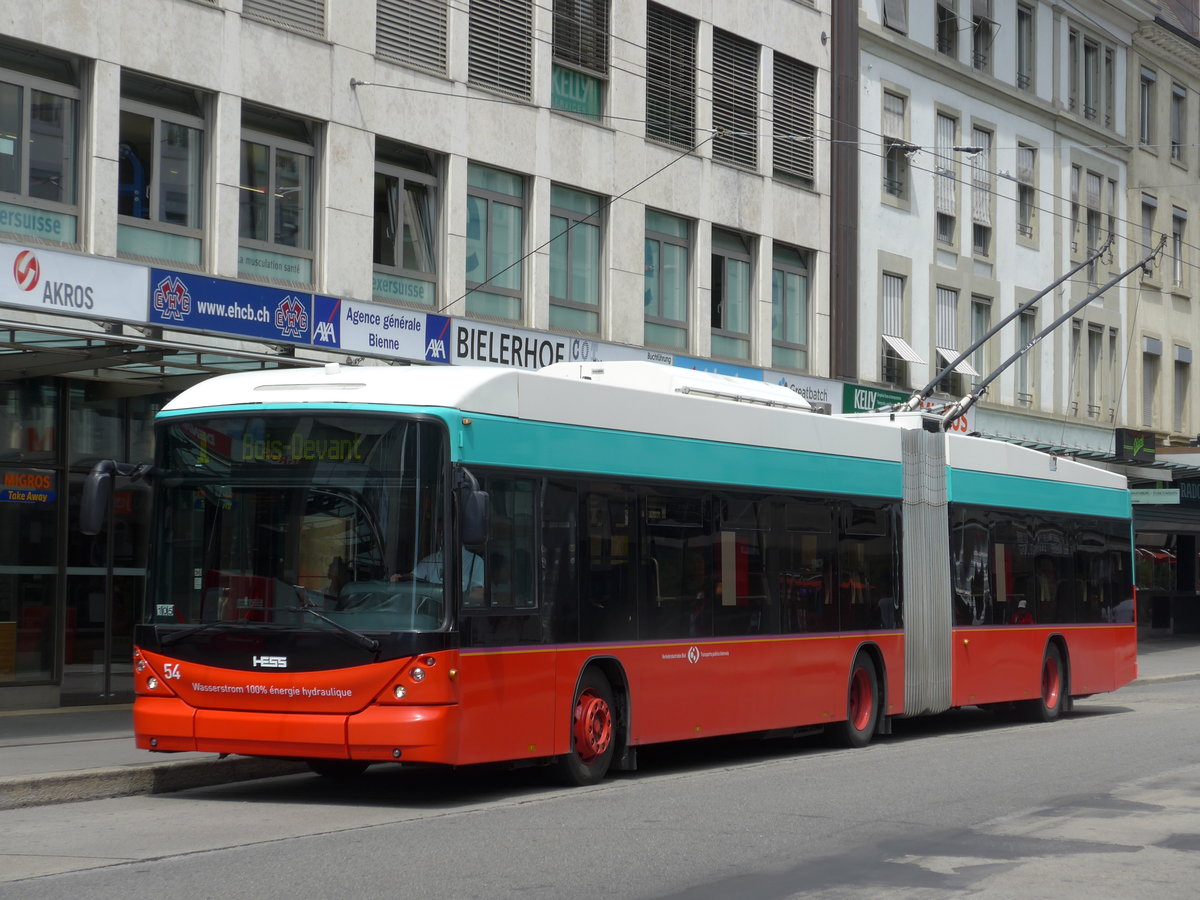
[989, 489]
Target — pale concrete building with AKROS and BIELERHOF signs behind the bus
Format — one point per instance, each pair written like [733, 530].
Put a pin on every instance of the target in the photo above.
[265, 183]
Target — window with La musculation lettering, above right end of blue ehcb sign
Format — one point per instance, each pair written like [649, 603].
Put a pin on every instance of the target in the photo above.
[277, 195]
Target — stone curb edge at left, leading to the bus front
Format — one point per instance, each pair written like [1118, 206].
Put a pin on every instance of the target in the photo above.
[100, 784]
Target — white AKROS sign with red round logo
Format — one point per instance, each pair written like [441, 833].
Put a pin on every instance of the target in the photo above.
[73, 285]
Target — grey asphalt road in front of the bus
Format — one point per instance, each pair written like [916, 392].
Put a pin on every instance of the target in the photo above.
[1106, 803]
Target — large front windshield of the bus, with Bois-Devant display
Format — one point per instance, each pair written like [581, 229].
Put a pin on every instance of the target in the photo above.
[299, 521]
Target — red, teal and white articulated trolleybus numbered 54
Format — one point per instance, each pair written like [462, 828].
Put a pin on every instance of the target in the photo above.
[471, 566]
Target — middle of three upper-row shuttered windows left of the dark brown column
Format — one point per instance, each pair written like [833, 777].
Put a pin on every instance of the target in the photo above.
[735, 100]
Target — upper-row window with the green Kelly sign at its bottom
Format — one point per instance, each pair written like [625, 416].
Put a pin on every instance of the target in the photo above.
[580, 69]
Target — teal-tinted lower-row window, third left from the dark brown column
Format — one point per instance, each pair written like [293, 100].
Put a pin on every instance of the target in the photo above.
[668, 254]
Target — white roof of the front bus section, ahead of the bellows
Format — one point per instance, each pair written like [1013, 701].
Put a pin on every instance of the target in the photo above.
[647, 398]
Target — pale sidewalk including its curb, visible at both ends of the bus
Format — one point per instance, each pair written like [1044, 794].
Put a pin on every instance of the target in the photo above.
[88, 753]
